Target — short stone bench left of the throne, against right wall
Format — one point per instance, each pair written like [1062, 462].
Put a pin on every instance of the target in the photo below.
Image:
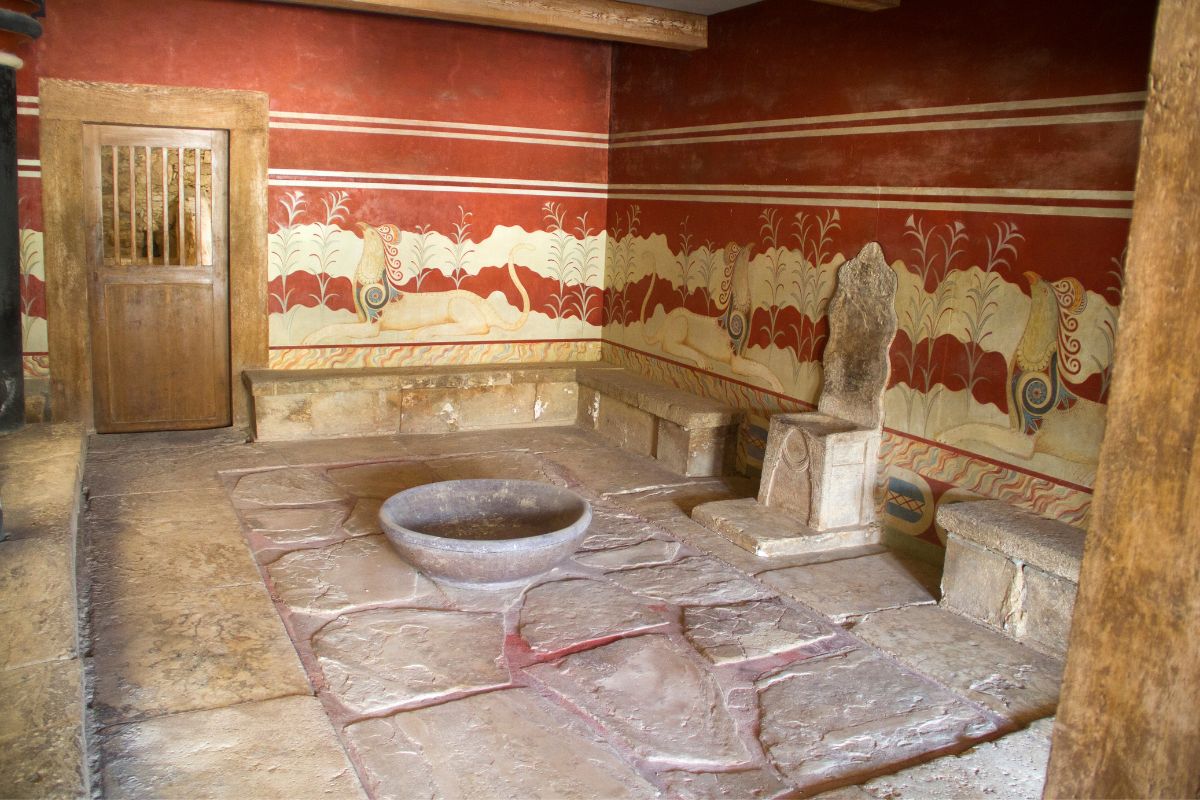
[691, 435]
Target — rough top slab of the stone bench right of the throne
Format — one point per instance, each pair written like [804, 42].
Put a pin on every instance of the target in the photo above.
[1048, 545]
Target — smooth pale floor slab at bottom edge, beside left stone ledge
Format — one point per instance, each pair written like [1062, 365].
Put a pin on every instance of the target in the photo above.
[275, 749]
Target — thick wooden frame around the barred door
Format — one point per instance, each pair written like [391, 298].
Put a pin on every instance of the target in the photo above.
[67, 106]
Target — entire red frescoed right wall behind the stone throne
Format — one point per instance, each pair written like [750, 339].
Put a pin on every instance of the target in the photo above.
[989, 147]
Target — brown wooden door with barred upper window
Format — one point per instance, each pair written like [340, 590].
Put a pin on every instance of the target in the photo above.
[159, 288]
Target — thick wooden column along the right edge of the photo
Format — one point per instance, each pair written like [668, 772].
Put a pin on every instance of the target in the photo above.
[1130, 717]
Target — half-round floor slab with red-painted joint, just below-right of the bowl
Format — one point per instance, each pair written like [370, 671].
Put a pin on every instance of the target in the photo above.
[565, 613]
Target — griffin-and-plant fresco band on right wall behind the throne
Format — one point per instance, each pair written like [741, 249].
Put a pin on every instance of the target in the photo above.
[999, 372]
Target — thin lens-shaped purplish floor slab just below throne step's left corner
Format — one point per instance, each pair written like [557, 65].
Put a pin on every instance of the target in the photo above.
[697, 581]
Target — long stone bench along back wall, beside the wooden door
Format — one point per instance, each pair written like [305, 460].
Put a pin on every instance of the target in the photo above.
[329, 404]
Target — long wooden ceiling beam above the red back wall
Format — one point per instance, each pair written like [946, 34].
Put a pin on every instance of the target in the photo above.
[604, 20]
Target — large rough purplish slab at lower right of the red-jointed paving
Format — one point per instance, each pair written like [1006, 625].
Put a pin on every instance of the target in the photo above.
[827, 720]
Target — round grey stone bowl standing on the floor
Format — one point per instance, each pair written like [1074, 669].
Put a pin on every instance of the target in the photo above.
[485, 533]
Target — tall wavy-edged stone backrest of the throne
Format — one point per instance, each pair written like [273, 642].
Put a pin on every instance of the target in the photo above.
[862, 326]
